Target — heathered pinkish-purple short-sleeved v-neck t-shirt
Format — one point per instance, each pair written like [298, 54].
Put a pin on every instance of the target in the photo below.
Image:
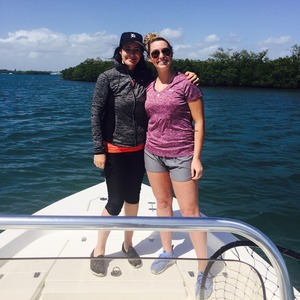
[170, 129]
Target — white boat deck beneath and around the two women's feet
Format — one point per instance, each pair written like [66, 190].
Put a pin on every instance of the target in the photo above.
[59, 264]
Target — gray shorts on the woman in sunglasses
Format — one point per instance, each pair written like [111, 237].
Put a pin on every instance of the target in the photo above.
[178, 167]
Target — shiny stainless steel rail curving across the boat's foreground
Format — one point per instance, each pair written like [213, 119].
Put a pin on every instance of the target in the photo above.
[159, 224]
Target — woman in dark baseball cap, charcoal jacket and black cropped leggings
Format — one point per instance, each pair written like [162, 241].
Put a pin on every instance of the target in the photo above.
[119, 124]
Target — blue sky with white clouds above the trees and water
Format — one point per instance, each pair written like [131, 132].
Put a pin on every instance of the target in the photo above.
[56, 34]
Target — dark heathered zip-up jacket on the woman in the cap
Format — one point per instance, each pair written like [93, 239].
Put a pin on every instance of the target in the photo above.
[118, 109]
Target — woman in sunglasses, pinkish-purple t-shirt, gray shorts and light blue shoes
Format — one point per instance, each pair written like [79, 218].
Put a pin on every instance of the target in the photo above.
[173, 150]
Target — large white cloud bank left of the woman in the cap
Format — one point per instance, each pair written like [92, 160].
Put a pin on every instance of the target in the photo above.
[43, 49]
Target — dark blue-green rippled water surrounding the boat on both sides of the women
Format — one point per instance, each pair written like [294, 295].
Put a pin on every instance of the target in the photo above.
[251, 153]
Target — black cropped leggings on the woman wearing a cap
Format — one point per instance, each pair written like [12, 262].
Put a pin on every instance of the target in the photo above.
[124, 174]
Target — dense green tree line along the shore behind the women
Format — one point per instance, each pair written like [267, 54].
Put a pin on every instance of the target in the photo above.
[224, 68]
